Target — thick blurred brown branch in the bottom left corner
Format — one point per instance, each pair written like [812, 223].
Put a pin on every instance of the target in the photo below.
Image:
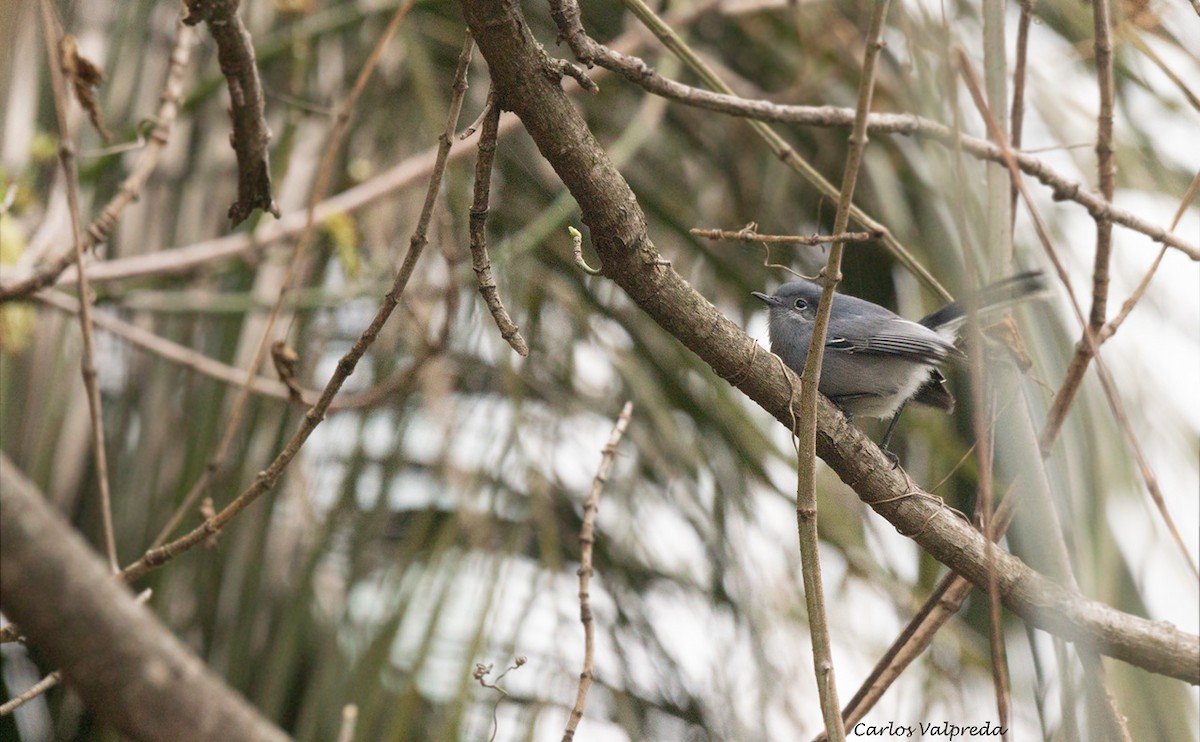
[129, 669]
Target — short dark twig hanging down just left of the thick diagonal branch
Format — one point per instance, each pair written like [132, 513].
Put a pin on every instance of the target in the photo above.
[478, 229]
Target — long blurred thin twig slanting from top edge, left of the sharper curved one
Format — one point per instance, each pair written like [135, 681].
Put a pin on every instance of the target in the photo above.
[325, 173]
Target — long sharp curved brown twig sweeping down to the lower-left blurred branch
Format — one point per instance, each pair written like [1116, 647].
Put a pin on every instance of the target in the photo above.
[267, 480]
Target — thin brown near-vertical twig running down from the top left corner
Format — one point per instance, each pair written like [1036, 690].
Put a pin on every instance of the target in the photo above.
[88, 363]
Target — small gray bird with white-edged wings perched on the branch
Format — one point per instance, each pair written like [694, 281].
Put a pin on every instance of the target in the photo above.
[875, 361]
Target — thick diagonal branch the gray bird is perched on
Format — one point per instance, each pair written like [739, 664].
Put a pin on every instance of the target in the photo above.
[525, 77]
